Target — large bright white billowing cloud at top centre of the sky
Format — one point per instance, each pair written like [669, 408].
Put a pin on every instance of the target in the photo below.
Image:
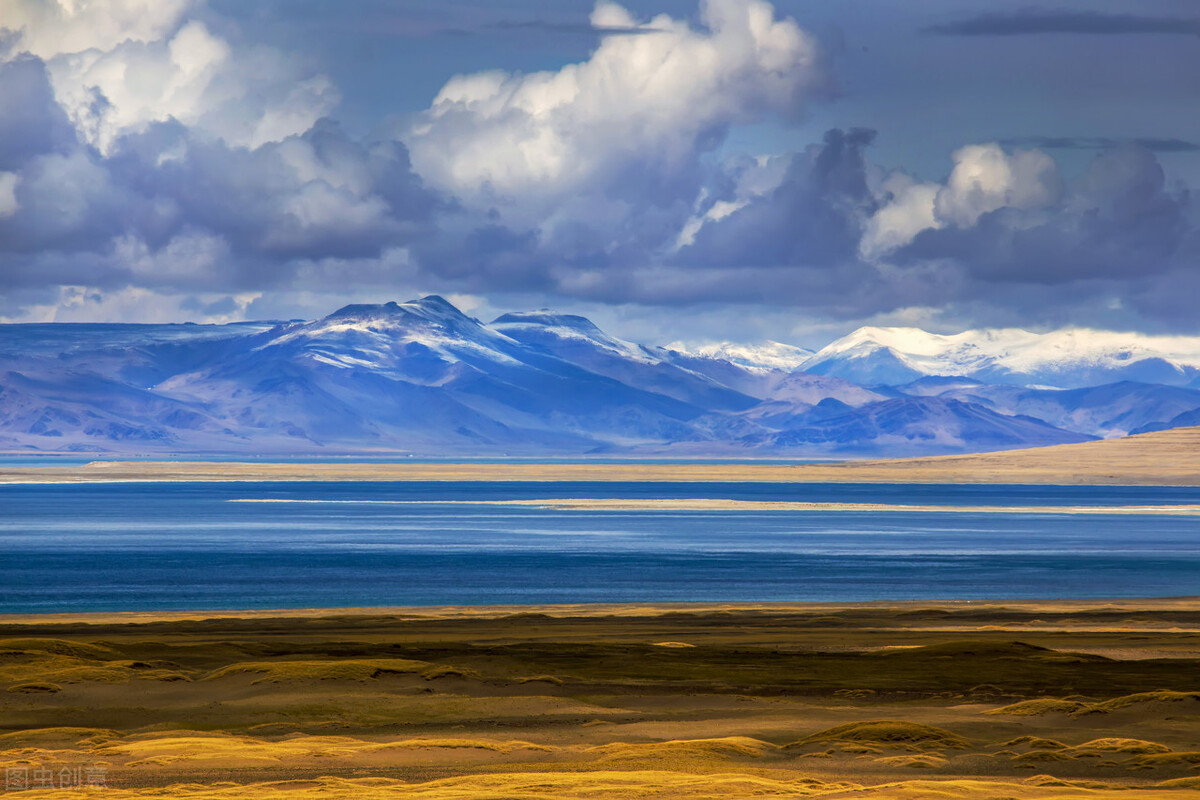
[649, 100]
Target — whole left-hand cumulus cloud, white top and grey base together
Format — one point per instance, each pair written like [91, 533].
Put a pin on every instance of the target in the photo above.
[145, 158]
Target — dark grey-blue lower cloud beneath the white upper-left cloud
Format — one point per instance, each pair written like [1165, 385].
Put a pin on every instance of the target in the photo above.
[167, 208]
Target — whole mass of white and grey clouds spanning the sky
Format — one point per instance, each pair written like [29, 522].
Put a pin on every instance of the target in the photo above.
[151, 158]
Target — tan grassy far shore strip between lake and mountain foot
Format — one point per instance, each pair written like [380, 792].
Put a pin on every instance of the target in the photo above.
[1168, 458]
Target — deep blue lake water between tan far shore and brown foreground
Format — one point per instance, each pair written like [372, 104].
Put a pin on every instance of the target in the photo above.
[185, 546]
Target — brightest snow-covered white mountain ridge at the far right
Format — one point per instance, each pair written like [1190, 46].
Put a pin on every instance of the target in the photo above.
[1066, 359]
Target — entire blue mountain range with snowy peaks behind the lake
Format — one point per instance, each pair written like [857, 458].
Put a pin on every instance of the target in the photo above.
[423, 378]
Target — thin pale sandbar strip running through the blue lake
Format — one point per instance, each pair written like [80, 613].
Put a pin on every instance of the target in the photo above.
[718, 504]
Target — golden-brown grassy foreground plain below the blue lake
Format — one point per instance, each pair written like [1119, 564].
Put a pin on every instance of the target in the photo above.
[873, 701]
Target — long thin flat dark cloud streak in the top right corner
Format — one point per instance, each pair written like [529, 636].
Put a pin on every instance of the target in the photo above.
[1034, 21]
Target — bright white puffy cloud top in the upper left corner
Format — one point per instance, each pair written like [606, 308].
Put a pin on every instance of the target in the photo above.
[122, 65]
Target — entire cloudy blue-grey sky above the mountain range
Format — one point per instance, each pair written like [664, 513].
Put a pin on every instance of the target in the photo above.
[675, 170]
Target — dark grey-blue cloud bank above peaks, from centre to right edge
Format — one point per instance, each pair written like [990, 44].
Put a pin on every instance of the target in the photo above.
[1118, 231]
